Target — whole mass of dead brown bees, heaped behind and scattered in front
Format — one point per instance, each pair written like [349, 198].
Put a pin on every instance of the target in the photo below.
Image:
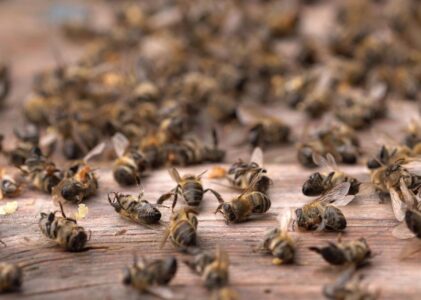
[162, 81]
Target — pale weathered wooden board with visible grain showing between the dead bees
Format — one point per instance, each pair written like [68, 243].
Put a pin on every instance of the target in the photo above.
[51, 273]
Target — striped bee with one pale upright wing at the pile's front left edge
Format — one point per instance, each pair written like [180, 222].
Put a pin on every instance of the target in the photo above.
[131, 162]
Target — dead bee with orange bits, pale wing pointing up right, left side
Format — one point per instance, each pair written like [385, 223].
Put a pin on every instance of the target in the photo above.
[80, 181]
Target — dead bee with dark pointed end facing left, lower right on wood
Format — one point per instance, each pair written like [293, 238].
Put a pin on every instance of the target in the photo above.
[355, 252]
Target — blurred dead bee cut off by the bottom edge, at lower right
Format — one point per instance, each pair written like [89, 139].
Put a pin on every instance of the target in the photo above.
[349, 286]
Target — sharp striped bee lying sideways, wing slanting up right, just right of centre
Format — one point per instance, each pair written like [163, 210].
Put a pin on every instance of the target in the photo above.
[241, 207]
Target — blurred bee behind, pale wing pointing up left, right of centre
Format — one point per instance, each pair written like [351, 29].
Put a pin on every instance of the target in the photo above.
[265, 129]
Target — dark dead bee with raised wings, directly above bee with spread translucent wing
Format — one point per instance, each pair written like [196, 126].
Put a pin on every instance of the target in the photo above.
[319, 183]
